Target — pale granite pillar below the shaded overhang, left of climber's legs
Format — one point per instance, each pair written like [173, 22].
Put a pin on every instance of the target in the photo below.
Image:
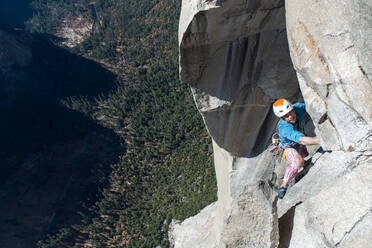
[245, 213]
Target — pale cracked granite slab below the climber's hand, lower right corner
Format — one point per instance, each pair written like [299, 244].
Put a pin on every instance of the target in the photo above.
[333, 203]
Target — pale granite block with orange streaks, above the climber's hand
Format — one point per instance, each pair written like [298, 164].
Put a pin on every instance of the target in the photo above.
[332, 55]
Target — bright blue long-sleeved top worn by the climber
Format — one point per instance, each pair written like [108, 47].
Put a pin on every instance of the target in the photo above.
[289, 134]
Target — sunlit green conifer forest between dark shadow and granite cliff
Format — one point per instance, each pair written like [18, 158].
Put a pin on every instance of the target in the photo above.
[166, 171]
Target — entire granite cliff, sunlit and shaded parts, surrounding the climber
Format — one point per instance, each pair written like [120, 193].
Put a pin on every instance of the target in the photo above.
[236, 57]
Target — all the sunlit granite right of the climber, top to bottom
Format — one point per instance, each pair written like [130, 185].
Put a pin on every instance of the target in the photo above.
[332, 56]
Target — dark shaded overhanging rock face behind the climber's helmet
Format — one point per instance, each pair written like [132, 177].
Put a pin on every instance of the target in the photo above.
[237, 61]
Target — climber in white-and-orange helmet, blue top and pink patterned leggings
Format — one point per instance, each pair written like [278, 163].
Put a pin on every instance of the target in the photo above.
[292, 140]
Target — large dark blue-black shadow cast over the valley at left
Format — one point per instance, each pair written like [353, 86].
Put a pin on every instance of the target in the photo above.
[53, 159]
